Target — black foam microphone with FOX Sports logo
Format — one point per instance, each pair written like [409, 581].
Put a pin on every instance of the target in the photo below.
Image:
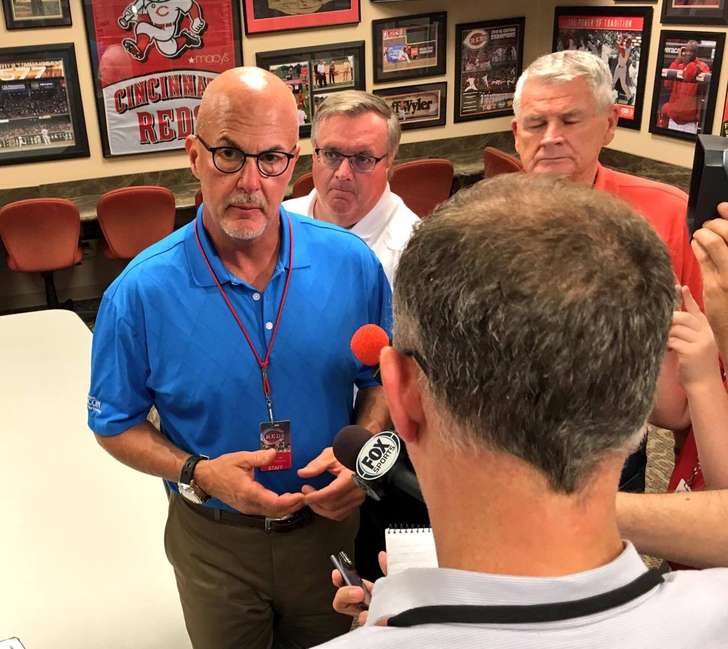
[376, 460]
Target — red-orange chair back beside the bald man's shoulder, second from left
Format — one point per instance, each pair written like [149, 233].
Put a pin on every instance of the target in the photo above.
[133, 218]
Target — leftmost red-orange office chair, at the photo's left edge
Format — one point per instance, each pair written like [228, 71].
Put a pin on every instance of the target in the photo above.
[41, 235]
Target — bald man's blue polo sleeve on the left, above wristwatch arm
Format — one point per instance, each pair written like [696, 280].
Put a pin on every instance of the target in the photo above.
[118, 396]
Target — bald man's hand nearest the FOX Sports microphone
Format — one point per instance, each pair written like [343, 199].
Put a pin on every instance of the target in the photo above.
[338, 499]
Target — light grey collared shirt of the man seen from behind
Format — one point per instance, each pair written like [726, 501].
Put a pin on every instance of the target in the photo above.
[688, 611]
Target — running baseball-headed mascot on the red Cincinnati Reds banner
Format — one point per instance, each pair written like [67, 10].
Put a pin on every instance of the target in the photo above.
[172, 26]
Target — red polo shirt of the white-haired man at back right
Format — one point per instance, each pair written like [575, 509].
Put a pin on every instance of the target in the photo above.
[665, 207]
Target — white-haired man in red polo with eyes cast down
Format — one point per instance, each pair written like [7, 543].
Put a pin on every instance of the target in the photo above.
[564, 115]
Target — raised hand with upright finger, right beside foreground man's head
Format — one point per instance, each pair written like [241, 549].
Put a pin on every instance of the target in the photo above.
[692, 338]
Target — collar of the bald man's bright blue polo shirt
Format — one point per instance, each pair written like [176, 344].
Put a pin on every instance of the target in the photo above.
[201, 274]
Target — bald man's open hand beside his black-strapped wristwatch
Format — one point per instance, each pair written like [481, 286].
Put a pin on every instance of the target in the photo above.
[231, 478]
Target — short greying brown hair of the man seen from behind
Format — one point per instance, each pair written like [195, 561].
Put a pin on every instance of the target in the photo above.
[539, 311]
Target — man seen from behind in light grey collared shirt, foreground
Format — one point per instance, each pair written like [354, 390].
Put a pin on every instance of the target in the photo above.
[522, 371]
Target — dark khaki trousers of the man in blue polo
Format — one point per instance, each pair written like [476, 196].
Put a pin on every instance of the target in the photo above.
[243, 588]
